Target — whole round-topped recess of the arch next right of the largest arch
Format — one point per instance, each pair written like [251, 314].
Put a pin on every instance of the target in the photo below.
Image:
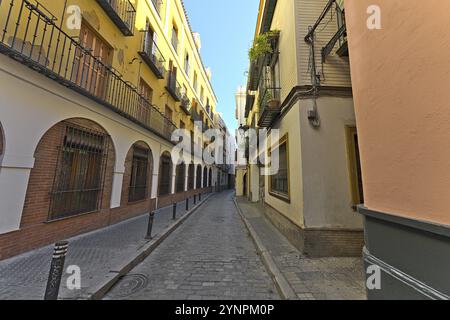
[140, 172]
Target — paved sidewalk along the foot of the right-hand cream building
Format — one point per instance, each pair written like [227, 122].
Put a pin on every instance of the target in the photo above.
[311, 278]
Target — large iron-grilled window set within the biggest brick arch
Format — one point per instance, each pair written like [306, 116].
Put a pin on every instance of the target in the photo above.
[79, 177]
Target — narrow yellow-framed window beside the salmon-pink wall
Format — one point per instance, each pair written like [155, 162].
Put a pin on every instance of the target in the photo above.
[354, 165]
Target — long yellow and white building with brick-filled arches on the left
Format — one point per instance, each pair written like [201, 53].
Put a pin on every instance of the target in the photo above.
[92, 93]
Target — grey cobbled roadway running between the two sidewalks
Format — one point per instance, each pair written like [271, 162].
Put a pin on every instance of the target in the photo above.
[211, 256]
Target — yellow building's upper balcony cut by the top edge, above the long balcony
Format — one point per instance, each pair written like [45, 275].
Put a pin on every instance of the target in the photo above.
[122, 13]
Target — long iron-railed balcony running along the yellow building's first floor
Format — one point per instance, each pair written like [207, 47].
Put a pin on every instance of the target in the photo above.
[31, 35]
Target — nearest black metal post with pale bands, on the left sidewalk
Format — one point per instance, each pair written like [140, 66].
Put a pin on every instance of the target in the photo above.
[56, 270]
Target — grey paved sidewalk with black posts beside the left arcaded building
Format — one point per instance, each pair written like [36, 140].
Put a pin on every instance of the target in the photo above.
[96, 253]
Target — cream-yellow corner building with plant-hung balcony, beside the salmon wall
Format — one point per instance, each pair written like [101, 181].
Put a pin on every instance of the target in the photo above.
[301, 89]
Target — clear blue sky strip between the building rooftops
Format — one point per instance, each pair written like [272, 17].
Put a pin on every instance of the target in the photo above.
[226, 28]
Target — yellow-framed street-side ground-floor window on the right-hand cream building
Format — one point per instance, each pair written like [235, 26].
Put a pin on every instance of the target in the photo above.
[279, 182]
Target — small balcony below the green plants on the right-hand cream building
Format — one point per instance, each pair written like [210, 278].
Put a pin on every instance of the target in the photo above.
[270, 107]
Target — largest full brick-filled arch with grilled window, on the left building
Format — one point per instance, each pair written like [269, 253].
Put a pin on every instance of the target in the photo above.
[72, 175]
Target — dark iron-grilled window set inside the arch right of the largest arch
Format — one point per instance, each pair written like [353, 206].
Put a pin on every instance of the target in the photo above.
[139, 175]
